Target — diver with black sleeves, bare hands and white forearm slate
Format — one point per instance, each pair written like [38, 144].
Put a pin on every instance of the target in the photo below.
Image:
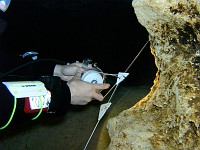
[48, 92]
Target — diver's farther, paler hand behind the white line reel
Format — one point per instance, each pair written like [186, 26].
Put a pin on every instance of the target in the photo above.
[67, 72]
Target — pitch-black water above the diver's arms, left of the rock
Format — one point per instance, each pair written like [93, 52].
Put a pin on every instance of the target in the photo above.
[106, 31]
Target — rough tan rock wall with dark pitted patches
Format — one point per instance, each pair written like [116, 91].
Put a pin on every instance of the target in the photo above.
[169, 116]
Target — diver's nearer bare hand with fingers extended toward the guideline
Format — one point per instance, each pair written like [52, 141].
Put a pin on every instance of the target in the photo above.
[84, 92]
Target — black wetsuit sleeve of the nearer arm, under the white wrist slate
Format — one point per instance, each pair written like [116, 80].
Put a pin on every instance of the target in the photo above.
[60, 100]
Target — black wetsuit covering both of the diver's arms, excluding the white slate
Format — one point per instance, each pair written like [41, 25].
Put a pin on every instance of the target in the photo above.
[40, 71]
